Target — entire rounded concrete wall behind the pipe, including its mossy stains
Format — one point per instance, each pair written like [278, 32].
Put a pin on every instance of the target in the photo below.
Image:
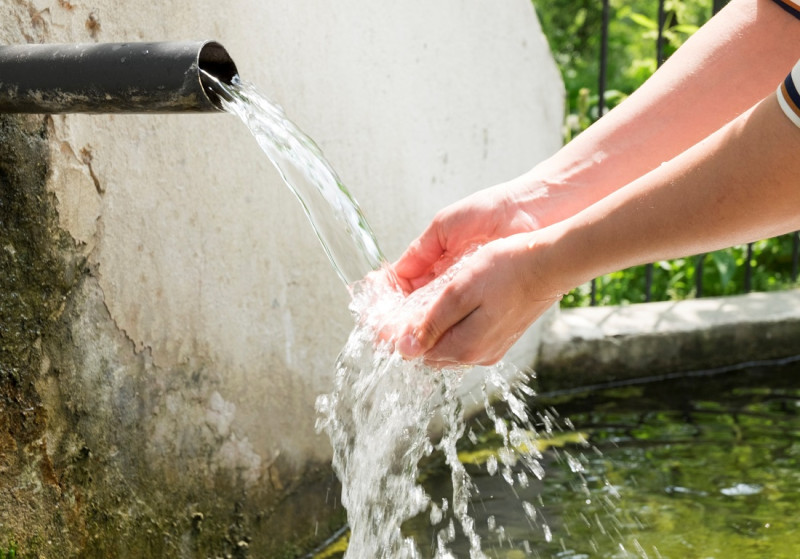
[167, 316]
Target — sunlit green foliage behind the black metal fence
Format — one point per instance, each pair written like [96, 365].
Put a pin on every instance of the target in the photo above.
[573, 29]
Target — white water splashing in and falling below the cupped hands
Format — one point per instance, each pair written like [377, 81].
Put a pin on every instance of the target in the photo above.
[385, 415]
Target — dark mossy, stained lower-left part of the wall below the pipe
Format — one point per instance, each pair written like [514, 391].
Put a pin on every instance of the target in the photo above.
[77, 403]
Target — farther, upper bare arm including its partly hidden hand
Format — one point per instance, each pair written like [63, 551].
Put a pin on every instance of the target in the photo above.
[735, 60]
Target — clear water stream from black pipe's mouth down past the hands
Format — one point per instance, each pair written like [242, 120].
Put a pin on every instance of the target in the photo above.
[385, 414]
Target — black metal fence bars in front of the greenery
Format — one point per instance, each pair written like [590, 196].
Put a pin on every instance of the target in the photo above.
[700, 259]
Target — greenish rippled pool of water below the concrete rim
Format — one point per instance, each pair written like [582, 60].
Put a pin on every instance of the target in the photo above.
[704, 467]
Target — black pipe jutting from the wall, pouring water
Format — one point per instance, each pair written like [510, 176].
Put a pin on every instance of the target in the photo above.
[113, 77]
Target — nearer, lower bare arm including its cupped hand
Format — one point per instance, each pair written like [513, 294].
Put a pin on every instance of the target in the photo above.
[740, 184]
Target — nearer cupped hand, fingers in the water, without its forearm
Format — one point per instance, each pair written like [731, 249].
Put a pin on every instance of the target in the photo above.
[473, 313]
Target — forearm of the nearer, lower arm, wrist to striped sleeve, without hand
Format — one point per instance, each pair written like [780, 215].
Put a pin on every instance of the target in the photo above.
[739, 185]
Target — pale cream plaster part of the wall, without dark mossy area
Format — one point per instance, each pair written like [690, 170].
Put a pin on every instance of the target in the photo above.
[204, 262]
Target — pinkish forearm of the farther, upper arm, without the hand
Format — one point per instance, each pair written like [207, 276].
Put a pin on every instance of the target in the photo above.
[732, 62]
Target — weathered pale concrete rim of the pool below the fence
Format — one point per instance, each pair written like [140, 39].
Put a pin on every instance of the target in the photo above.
[601, 344]
